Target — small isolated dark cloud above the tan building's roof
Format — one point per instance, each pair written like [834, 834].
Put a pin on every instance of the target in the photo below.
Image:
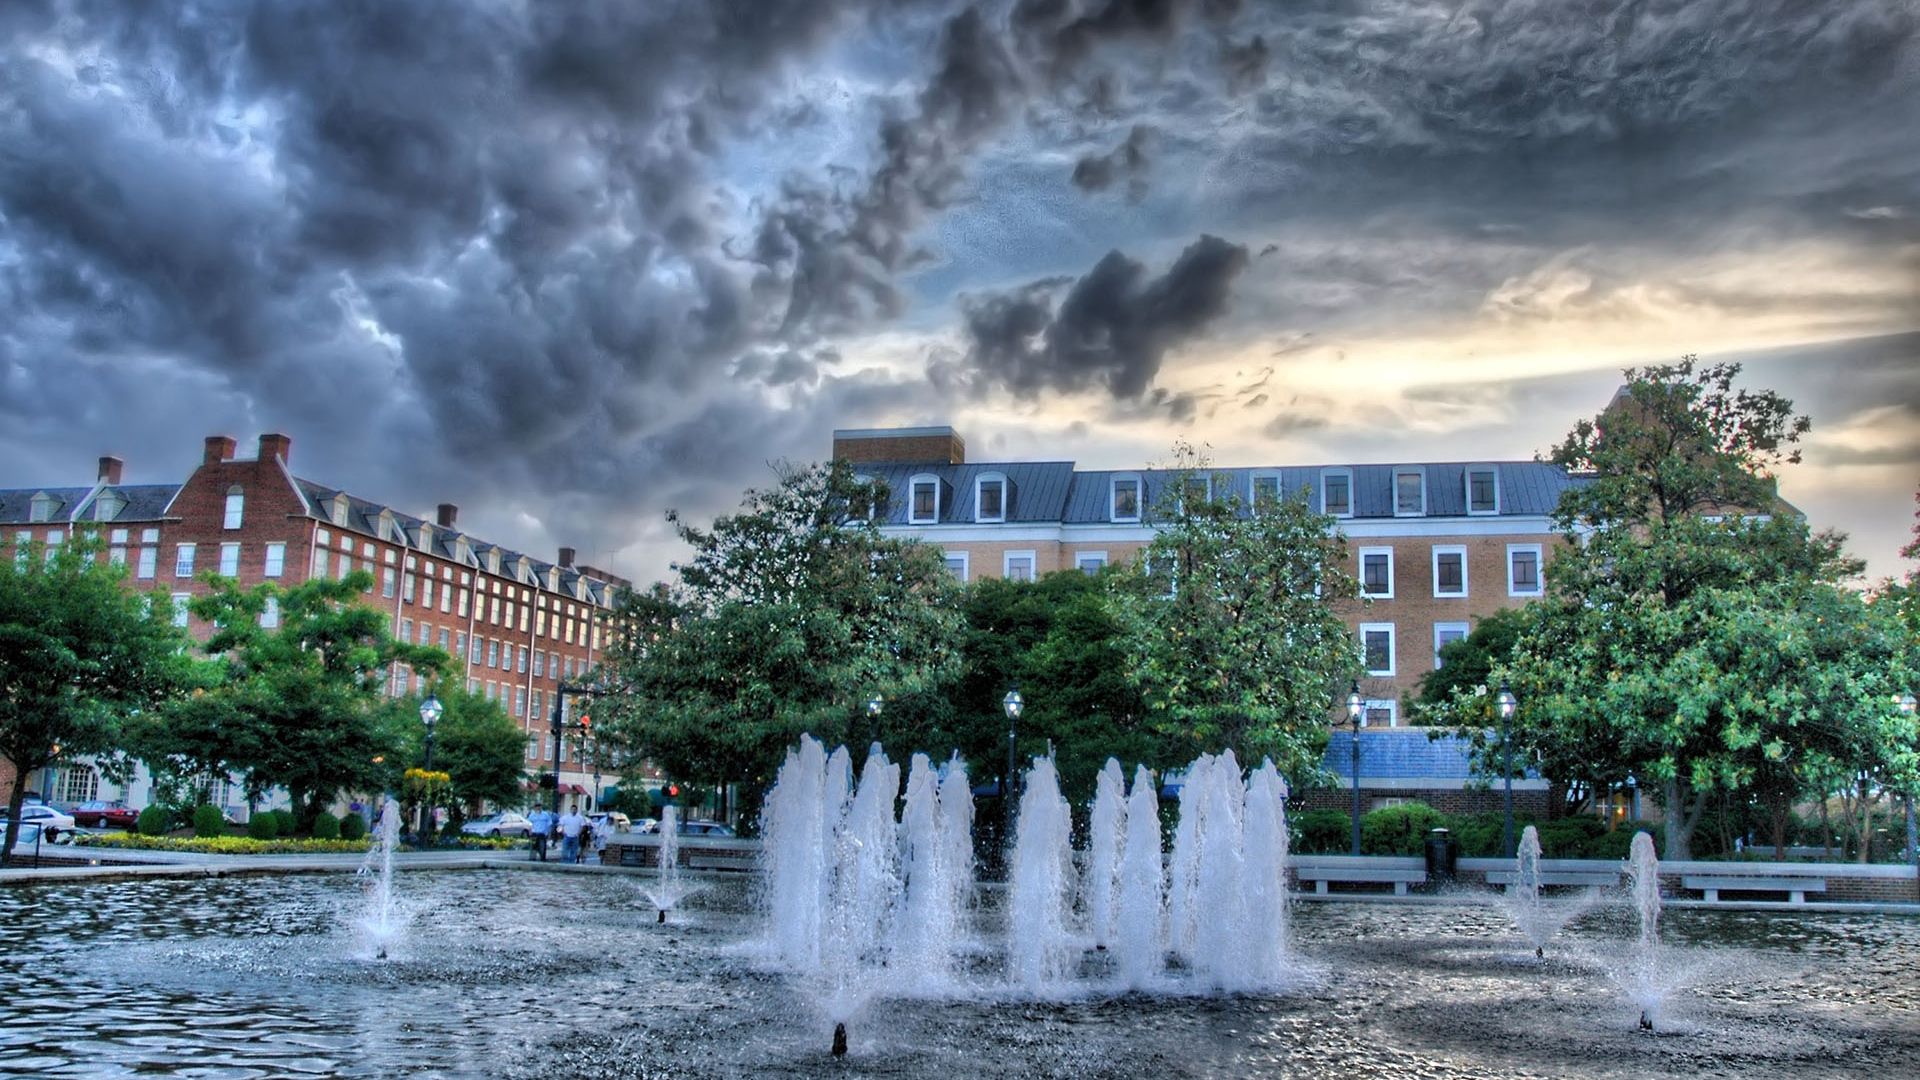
[1113, 328]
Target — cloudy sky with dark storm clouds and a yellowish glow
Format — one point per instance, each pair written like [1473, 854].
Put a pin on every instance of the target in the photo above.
[575, 264]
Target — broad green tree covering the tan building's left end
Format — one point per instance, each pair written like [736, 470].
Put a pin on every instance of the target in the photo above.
[786, 620]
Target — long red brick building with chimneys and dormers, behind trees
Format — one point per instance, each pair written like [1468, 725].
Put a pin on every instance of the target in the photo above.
[516, 627]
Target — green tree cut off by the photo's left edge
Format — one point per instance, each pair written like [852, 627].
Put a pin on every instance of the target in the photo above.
[78, 654]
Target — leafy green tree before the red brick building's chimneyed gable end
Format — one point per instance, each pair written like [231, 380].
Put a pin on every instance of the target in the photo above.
[299, 704]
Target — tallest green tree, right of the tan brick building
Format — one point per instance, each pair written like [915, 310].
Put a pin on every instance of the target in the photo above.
[1696, 635]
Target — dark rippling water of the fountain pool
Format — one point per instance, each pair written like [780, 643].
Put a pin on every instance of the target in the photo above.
[540, 975]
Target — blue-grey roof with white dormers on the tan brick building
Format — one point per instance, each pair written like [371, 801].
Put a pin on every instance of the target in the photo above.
[1057, 493]
